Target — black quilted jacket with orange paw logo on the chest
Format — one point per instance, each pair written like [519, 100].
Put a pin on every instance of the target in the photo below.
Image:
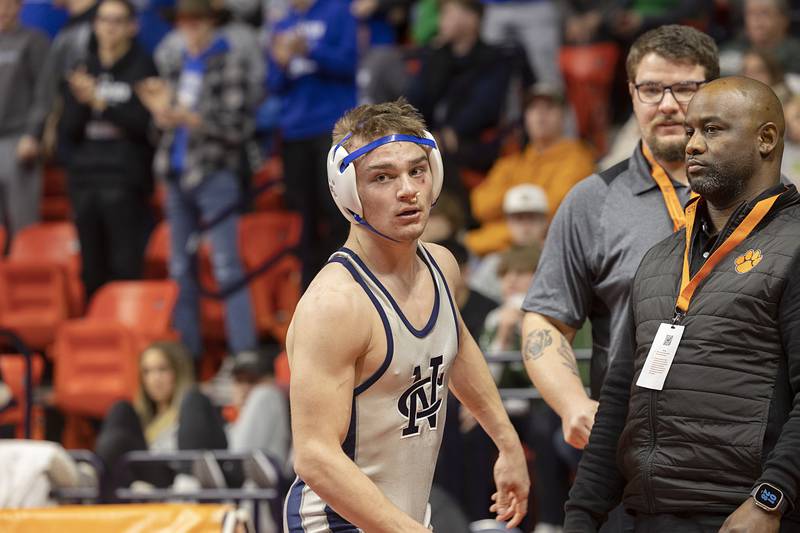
[727, 416]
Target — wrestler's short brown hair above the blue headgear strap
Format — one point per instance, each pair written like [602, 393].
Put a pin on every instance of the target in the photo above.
[371, 121]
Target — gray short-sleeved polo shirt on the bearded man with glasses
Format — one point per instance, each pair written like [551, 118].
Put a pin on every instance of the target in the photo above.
[594, 245]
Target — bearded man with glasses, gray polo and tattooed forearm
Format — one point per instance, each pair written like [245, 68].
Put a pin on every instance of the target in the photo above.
[606, 224]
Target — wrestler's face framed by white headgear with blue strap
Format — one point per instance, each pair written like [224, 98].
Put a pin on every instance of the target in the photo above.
[395, 187]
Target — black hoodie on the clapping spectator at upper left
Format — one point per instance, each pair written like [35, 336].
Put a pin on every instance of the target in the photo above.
[112, 147]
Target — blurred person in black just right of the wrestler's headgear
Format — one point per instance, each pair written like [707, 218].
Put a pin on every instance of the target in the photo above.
[460, 90]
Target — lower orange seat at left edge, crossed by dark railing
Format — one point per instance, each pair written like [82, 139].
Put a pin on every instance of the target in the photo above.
[12, 368]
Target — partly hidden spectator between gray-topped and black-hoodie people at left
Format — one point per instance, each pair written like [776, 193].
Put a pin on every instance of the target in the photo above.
[69, 49]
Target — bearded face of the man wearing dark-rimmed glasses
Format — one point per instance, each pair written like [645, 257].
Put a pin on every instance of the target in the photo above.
[661, 124]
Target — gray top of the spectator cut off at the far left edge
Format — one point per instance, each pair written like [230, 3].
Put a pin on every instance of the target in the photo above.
[22, 55]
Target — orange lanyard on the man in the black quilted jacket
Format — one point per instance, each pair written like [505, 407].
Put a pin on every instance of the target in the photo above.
[689, 286]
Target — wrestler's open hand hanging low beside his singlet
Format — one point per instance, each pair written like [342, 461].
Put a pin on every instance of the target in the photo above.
[513, 484]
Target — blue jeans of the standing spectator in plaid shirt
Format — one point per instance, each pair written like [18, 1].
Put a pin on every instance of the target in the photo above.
[185, 210]
